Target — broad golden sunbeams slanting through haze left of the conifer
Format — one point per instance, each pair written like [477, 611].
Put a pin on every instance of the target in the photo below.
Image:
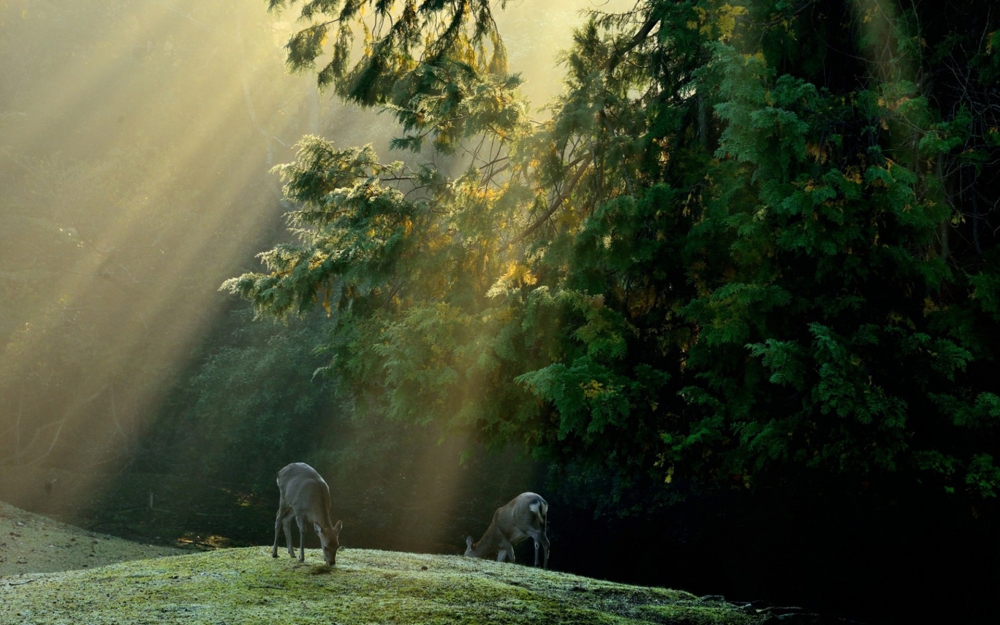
[139, 151]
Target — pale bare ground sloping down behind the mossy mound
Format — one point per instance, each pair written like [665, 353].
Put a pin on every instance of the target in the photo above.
[30, 543]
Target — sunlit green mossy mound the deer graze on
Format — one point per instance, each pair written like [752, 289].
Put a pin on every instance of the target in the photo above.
[366, 586]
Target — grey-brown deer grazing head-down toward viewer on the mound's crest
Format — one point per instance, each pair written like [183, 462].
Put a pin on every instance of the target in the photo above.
[305, 496]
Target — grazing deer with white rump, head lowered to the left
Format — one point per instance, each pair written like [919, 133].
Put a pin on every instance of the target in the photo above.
[522, 517]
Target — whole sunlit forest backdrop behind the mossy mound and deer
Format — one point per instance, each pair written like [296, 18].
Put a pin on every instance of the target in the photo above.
[720, 278]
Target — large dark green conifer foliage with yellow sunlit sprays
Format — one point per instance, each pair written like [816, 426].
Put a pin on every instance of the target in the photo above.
[753, 244]
